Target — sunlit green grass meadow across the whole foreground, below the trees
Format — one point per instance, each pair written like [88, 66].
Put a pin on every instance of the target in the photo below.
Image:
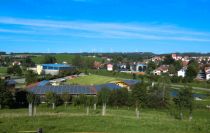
[74, 119]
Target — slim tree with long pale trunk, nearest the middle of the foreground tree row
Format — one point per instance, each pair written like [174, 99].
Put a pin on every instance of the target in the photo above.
[104, 96]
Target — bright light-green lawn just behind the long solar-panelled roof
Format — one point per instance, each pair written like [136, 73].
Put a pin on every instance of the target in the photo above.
[92, 80]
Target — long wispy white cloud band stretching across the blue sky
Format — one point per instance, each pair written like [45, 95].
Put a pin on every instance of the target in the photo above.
[103, 30]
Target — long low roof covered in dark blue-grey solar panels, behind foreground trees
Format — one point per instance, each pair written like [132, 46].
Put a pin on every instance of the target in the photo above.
[71, 89]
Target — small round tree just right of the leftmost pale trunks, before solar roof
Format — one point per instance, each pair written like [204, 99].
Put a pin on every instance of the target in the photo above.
[51, 98]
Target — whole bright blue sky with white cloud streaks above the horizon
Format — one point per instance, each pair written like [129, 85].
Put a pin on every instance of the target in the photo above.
[159, 26]
